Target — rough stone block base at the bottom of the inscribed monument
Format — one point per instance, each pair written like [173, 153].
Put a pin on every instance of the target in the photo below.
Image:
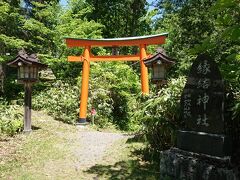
[176, 164]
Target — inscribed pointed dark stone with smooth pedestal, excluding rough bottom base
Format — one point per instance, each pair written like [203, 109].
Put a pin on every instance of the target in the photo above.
[202, 109]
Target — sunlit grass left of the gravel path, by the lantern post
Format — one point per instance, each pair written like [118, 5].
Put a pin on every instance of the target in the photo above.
[32, 154]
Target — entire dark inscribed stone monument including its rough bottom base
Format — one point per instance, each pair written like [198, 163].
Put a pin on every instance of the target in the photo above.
[204, 146]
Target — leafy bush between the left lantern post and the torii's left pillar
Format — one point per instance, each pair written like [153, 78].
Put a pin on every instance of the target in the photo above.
[60, 101]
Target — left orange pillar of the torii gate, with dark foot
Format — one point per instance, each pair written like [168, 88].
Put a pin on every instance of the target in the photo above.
[84, 88]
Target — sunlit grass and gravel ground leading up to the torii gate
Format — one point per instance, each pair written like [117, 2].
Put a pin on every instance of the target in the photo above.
[55, 150]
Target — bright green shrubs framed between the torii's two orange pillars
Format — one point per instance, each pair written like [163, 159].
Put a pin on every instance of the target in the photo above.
[112, 92]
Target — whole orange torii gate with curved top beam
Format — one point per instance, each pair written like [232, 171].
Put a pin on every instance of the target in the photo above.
[87, 57]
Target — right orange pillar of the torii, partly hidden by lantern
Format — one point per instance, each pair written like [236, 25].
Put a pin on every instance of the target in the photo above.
[144, 70]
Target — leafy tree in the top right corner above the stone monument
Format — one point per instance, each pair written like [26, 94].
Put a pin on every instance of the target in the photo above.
[200, 26]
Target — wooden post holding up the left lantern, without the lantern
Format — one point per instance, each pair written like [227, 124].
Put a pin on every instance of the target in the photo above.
[27, 107]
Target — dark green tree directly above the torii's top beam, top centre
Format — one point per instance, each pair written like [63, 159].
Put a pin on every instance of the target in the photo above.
[121, 18]
